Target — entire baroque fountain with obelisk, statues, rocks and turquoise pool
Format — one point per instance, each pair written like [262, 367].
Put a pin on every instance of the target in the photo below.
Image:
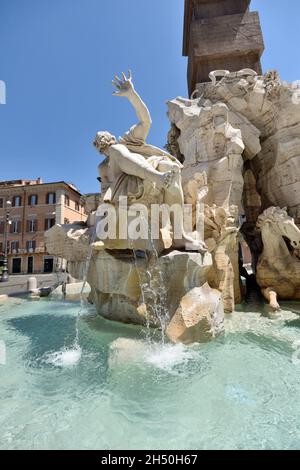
[161, 249]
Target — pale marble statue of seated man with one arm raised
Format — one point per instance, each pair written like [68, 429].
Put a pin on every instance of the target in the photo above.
[132, 158]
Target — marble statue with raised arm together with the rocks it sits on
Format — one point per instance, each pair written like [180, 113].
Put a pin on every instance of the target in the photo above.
[142, 211]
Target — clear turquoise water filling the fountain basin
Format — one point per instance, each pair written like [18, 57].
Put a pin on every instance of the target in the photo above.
[118, 392]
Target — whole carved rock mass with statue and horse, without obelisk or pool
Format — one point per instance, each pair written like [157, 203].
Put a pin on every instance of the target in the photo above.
[163, 240]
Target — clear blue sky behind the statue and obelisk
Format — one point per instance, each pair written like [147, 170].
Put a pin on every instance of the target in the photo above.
[58, 58]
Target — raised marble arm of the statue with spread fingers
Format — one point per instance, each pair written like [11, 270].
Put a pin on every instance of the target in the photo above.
[125, 88]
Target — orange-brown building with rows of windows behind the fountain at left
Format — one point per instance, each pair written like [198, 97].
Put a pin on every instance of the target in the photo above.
[35, 208]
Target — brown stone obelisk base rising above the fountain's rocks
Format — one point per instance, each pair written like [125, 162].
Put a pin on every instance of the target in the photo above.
[220, 34]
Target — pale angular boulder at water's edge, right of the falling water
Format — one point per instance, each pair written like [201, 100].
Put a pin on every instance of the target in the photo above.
[199, 317]
